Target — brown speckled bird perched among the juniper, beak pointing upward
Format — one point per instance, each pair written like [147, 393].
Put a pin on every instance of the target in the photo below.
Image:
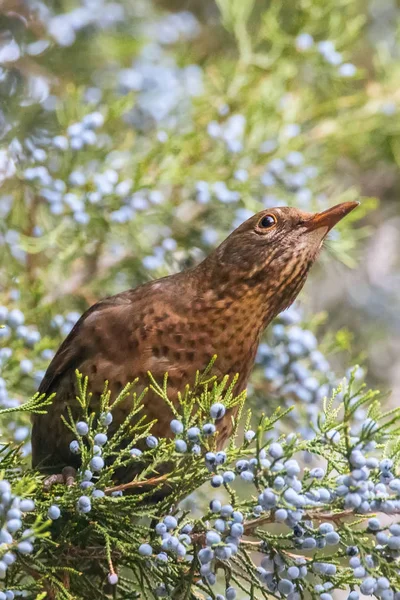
[177, 323]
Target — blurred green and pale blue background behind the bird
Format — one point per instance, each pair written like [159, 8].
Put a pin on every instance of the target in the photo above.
[136, 135]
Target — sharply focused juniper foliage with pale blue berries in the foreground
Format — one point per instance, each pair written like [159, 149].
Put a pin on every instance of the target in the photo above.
[285, 530]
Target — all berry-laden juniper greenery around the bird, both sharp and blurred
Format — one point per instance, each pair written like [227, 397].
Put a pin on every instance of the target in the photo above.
[134, 138]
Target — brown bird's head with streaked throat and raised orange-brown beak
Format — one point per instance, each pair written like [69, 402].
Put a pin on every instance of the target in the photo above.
[274, 249]
